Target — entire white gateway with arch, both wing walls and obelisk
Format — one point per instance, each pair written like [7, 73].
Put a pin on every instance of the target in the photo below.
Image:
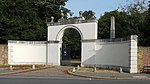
[113, 53]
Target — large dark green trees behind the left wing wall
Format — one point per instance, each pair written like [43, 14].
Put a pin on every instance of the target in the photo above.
[27, 19]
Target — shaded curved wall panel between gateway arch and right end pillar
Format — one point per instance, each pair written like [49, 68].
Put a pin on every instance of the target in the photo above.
[113, 53]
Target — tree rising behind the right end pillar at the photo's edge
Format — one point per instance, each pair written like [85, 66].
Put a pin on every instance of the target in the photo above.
[138, 16]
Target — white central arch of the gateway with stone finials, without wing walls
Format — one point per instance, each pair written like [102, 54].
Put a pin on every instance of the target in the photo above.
[87, 30]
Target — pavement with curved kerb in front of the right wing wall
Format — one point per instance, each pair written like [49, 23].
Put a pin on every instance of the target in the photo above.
[110, 75]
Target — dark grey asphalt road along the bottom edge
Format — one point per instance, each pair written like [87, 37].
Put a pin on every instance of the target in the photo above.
[49, 80]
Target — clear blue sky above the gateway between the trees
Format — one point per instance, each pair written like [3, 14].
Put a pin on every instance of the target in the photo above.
[98, 6]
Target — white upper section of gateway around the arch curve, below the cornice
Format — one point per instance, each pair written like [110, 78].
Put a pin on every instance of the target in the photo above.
[86, 30]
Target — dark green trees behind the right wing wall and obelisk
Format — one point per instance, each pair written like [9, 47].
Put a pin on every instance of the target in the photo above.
[131, 20]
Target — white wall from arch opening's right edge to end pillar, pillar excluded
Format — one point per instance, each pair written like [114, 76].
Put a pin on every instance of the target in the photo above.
[106, 54]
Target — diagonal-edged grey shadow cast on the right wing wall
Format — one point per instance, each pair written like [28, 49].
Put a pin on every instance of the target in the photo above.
[110, 56]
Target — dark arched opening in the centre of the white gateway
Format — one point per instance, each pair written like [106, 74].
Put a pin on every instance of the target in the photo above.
[71, 47]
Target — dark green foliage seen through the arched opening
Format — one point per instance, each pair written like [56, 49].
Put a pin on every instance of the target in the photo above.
[71, 40]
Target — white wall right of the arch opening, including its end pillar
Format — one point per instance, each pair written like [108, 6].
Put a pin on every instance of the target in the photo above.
[114, 54]
